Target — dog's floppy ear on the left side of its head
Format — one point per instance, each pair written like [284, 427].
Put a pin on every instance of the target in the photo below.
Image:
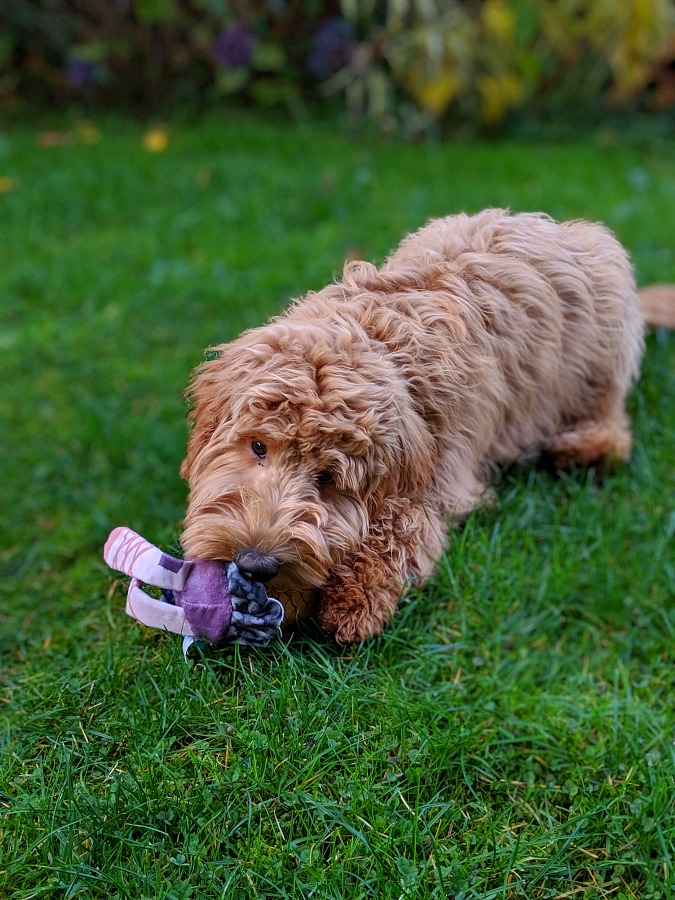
[209, 400]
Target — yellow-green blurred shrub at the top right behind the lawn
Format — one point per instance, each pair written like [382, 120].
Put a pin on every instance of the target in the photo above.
[480, 60]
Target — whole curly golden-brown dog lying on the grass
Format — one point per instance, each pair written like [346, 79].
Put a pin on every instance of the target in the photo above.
[332, 446]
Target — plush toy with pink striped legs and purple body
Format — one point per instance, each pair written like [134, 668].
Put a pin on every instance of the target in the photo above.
[203, 599]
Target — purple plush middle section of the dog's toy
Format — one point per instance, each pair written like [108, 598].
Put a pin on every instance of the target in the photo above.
[206, 600]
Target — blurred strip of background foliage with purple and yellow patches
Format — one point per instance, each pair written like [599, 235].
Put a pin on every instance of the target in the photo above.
[405, 64]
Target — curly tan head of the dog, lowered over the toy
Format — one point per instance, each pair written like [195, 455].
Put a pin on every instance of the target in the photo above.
[300, 429]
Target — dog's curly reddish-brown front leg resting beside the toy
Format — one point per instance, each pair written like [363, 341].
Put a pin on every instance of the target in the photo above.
[363, 591]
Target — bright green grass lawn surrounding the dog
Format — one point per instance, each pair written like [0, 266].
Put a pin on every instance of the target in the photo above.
[510, 735]
